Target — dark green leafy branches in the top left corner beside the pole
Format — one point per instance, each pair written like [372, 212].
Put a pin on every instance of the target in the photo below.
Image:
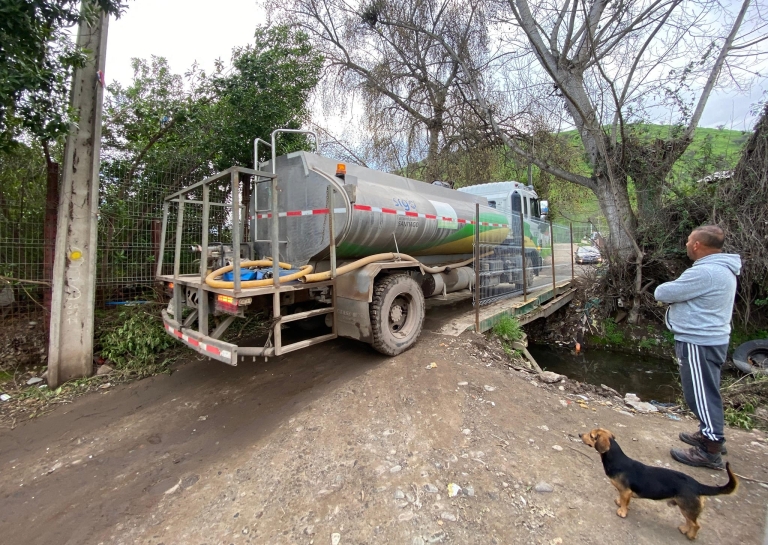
[37, 59]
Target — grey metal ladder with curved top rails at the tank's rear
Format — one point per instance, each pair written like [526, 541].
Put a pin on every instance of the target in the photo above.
[274, 244]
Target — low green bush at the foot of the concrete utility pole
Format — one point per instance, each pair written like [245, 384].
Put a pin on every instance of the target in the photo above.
[135, 340]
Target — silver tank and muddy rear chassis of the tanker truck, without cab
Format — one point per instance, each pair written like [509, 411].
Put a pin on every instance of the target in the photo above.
[341, 250]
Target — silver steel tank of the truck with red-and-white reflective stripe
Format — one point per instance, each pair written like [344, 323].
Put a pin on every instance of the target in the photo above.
[374, 212]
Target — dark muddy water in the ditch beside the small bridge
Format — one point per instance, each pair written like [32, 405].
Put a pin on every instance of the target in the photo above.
[650, 378]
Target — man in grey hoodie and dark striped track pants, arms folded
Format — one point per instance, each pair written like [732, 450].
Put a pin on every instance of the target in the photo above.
[701, 305]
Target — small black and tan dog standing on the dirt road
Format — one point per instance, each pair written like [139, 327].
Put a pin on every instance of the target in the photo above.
[631, 478]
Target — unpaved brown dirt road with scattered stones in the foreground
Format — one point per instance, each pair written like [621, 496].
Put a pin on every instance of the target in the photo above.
[341, 440]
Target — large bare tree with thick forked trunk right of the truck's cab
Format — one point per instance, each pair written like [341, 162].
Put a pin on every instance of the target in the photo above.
[605, 62]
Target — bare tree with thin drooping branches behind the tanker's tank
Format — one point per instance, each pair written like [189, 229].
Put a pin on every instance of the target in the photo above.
[406, 79]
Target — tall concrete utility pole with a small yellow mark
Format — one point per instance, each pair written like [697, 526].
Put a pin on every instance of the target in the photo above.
[70, 352]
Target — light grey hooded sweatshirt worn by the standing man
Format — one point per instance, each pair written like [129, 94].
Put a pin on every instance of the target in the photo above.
[702, 300]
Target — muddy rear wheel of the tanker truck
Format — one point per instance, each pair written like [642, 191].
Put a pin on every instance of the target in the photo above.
[397, 314]
